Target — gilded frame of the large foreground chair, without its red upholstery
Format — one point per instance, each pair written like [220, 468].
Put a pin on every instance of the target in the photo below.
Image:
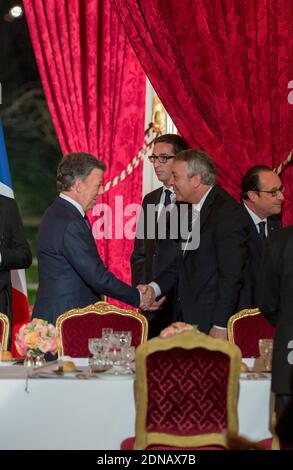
[186, 340]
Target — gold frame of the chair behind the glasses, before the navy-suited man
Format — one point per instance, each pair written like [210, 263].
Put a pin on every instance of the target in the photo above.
[99, 308]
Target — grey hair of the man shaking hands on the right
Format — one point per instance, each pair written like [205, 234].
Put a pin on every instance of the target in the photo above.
[199, 163]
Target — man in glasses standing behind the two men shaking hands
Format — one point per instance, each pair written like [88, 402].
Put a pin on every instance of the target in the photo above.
[151, 256]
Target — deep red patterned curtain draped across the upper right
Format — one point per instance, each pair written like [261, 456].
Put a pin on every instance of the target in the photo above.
[221, 69]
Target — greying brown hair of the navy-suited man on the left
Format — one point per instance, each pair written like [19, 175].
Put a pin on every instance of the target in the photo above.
[76, 166]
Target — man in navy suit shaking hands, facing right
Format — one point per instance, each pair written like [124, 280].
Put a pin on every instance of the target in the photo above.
[71, 272]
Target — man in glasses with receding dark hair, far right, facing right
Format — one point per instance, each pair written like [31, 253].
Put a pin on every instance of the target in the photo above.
[262, 198]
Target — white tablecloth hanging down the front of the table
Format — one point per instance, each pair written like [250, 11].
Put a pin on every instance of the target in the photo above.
[66, 413]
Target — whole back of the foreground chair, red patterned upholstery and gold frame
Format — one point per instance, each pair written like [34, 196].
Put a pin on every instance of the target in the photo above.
[186, 391]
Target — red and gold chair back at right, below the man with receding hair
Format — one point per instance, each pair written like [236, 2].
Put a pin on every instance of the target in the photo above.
[246, 327]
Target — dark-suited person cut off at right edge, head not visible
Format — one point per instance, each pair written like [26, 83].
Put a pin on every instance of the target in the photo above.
[275, 299]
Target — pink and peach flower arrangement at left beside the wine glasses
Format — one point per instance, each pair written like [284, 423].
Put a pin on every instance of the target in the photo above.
[38, 336]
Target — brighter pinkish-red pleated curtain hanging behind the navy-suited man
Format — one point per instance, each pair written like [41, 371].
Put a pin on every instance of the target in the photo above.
[95, 88]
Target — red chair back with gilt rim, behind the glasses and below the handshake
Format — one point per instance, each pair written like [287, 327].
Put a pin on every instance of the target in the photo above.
[76, 326]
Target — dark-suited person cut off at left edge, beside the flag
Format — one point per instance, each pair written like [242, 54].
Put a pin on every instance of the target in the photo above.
[15, 252]
